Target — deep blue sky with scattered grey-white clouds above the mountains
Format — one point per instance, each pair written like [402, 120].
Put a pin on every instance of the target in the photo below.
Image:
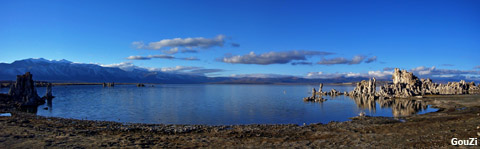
[250, 38]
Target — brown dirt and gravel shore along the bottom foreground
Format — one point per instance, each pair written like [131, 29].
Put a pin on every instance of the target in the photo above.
[458, 117]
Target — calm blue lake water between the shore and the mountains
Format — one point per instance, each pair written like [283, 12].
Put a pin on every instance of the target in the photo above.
[215, 104]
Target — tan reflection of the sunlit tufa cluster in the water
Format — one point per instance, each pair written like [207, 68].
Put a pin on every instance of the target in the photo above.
[400, 107]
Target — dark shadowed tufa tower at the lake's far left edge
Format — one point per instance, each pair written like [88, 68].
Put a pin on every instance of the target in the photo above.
[23, 91]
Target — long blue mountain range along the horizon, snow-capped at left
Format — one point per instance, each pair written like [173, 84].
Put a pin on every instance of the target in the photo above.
[67, 71]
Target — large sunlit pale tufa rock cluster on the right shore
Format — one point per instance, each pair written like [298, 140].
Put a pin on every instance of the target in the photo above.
[406, 85]
